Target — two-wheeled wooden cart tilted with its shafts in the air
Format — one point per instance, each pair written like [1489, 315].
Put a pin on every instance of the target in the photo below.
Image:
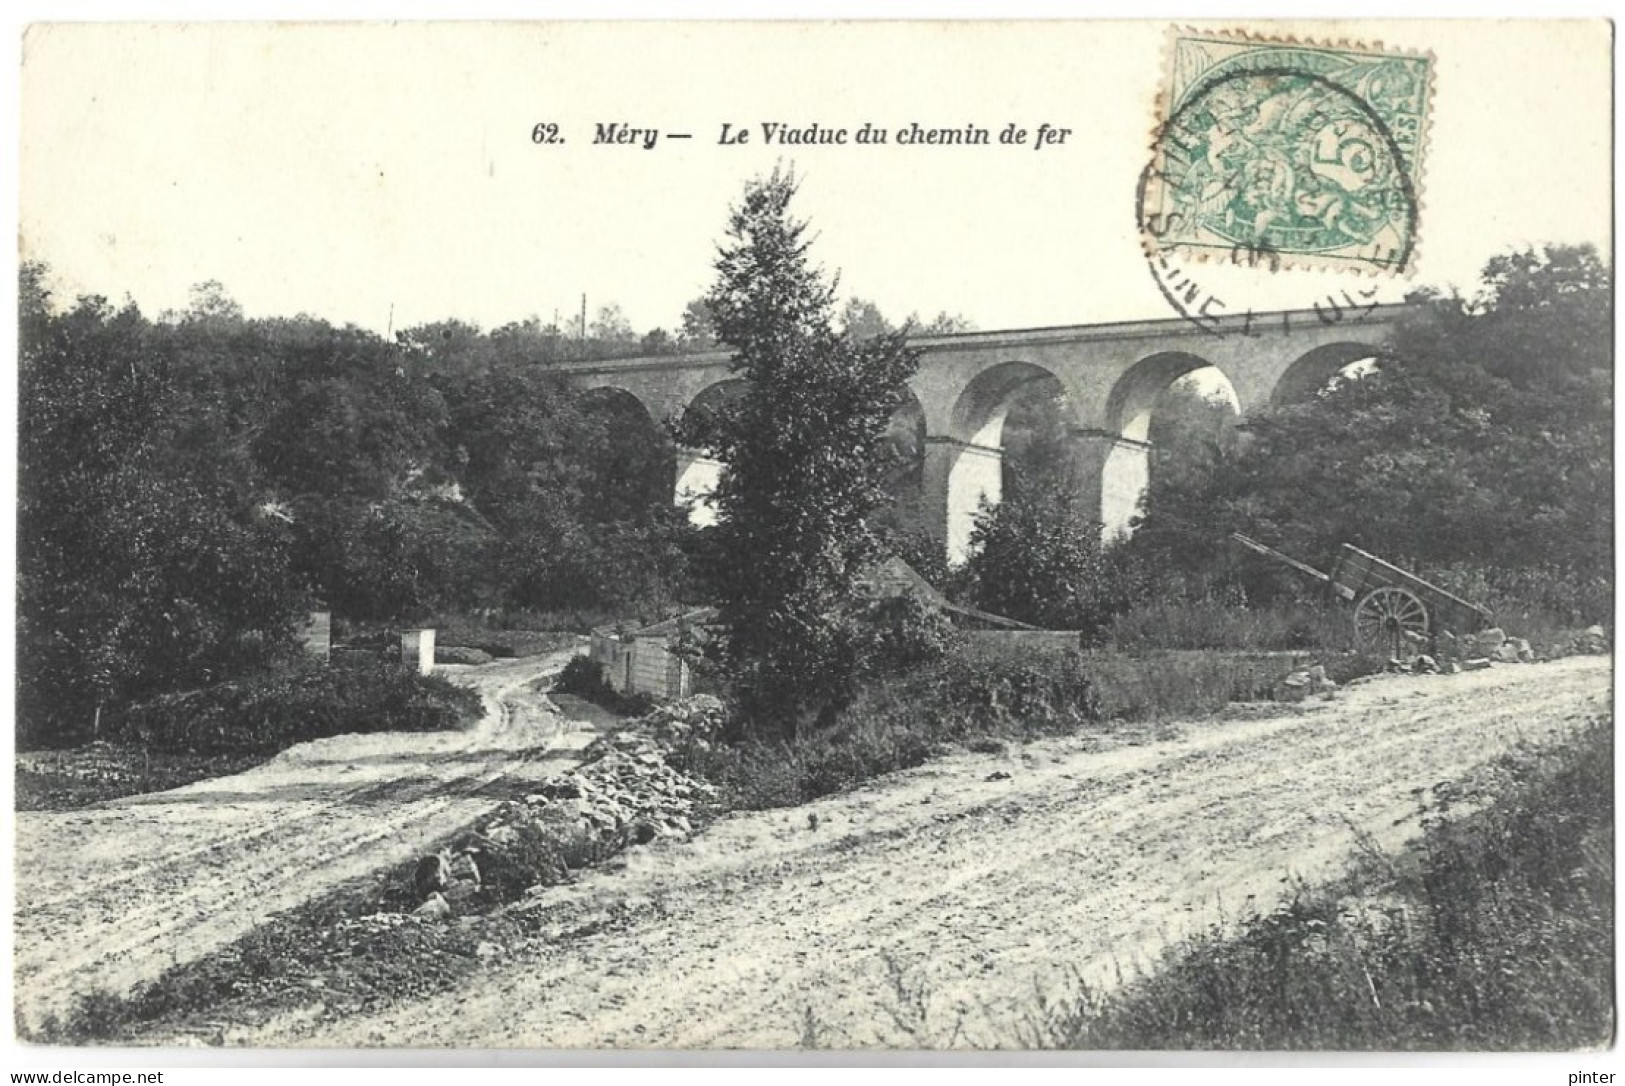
[1392, 607]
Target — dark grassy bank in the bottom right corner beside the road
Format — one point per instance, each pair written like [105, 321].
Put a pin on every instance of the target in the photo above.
[1496, 932]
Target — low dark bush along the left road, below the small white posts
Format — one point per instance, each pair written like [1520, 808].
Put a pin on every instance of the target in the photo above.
[297, 703]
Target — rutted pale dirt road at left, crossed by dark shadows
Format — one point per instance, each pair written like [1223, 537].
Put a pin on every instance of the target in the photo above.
[113, 895]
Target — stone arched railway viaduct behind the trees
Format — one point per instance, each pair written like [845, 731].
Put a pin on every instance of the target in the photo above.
[1111, 376]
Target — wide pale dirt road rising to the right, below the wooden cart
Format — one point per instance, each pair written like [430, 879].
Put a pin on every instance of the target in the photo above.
[929, 908]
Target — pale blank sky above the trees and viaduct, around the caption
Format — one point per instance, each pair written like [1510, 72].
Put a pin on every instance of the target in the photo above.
[350, 170]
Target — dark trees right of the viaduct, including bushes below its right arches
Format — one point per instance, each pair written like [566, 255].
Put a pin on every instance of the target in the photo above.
[1476, 450]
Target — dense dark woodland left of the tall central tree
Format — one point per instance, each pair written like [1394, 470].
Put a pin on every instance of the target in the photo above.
[189, 487]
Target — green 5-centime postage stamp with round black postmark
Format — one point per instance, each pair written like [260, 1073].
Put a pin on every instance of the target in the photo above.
[1288, 154]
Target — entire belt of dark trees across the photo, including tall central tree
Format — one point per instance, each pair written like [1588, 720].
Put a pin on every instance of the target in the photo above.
[191, 485]
